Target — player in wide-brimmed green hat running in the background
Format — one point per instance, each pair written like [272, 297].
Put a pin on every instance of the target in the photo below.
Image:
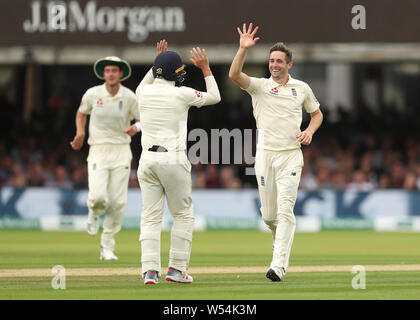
[111, 107]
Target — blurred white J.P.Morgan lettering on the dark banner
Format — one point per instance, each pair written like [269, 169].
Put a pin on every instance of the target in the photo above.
[137, 22]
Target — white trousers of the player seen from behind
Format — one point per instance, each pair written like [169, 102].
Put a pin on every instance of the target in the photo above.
[165, 174]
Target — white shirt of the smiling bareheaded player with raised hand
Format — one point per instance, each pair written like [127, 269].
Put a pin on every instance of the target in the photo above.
[278, 111]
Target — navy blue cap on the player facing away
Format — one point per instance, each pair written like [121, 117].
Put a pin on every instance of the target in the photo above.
[168, 65]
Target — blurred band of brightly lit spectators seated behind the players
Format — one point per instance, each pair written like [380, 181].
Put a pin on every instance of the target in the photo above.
[361, 166]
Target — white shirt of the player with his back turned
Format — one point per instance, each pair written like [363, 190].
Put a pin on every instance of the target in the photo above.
[164, 113]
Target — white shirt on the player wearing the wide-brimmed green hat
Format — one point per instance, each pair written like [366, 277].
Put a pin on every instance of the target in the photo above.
[109, 115]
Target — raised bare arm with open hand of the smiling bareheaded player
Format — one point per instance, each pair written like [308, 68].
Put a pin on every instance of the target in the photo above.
[247, 40]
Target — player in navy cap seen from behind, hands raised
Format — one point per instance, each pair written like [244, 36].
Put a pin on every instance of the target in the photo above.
[164, 169]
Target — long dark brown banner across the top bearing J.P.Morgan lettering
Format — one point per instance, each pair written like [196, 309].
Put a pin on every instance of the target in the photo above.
[187, 22]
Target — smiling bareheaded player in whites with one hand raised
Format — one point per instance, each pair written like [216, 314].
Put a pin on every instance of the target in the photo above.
[277, 107]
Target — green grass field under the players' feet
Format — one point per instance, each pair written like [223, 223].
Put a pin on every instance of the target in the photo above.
[35, 249]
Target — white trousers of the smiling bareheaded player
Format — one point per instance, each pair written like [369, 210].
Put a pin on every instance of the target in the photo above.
[278, 176]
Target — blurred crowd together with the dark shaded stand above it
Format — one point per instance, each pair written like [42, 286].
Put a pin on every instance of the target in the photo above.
[358, 151]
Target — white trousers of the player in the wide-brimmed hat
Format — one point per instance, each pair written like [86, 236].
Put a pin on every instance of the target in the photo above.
[108, 174]
